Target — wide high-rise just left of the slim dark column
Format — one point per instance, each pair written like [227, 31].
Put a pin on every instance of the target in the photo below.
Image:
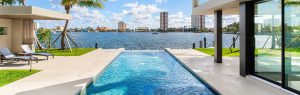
[198, 21]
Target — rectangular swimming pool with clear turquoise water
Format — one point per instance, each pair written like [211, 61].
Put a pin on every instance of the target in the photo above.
[147, 73]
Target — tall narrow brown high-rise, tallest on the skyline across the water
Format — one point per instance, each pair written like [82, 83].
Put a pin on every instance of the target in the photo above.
[164, 21]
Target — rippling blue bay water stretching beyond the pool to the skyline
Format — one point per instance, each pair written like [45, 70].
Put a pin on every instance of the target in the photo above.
[146, 41]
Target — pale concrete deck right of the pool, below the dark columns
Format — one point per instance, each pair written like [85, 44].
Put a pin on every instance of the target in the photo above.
[224, 77]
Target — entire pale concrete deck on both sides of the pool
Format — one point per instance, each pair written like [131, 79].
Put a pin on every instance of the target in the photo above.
[67, 75]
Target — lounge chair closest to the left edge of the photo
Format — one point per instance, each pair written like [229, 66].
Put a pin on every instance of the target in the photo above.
[7, 55]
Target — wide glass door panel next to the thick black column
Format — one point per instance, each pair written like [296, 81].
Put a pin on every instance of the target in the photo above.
[268, 38]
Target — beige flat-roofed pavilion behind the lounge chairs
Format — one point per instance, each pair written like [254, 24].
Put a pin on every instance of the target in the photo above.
[16, 24]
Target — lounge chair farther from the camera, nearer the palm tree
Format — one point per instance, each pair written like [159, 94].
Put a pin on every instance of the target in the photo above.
[28, 51]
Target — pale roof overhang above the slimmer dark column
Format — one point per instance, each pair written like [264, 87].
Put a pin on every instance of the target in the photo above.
[229, 7]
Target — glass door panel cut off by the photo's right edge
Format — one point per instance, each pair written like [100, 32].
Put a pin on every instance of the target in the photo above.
[292, 43]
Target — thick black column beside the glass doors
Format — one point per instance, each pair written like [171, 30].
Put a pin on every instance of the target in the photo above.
[247, 38]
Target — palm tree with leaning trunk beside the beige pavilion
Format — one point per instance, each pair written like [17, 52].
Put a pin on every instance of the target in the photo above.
[68, 4]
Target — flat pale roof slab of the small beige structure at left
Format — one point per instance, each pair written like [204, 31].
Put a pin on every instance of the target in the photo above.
[31, 12]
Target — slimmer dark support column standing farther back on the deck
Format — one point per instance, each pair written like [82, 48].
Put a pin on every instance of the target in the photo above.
[218, 36]
